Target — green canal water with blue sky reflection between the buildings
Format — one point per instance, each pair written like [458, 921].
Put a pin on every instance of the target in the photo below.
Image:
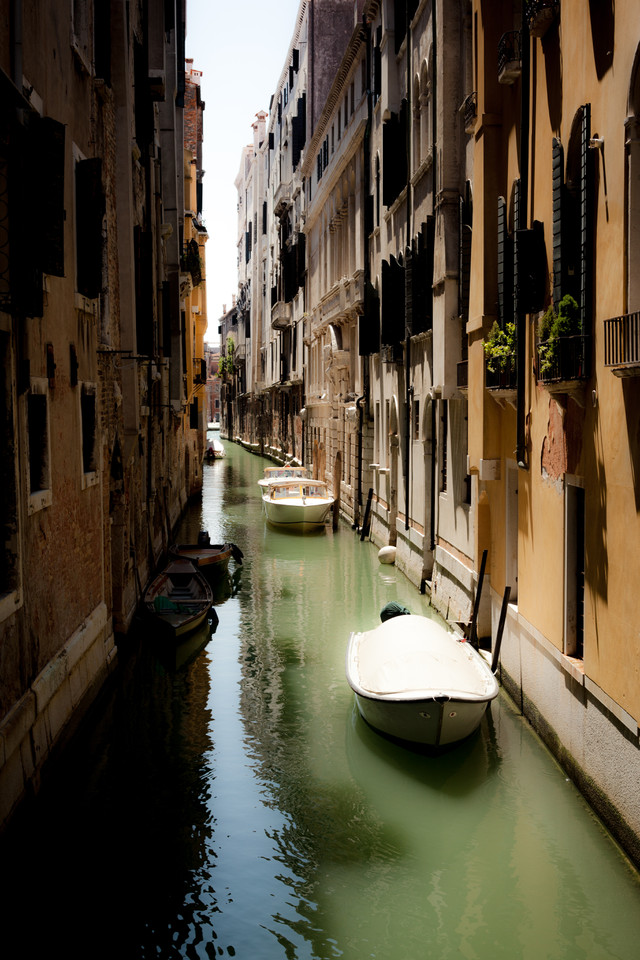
[227, 801]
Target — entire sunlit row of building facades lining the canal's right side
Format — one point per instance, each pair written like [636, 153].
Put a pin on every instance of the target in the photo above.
[468, 314]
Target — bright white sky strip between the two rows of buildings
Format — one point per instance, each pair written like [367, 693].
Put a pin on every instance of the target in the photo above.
[240, 46]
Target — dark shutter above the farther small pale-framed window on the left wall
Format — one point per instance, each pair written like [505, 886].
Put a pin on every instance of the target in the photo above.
[90, 208]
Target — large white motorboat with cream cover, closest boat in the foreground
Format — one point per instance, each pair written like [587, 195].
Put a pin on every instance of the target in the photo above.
[416, 681]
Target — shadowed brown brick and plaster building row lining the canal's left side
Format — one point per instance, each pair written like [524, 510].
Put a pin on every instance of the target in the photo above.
[100, 454]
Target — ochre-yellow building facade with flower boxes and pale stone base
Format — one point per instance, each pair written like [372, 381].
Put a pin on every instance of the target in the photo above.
[553, 366]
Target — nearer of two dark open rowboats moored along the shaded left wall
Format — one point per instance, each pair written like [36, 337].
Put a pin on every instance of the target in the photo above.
[179, 598]
